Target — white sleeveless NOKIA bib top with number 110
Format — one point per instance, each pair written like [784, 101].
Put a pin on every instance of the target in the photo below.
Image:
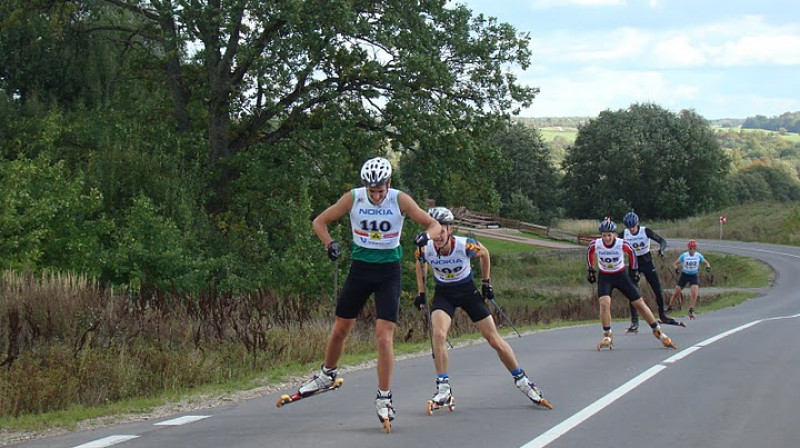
[376, 226]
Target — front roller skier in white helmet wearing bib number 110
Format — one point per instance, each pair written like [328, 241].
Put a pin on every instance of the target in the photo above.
[376, 214]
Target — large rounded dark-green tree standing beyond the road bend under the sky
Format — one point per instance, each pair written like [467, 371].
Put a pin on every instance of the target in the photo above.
[662, 164]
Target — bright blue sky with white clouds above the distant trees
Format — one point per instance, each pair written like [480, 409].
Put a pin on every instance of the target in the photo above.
[721, 58]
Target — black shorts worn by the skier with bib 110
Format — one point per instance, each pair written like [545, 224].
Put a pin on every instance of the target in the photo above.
[383, 279]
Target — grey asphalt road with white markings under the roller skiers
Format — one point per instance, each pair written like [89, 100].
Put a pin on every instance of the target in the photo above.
[733, 382]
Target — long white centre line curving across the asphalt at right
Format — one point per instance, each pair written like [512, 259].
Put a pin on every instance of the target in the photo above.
[584, 414]
